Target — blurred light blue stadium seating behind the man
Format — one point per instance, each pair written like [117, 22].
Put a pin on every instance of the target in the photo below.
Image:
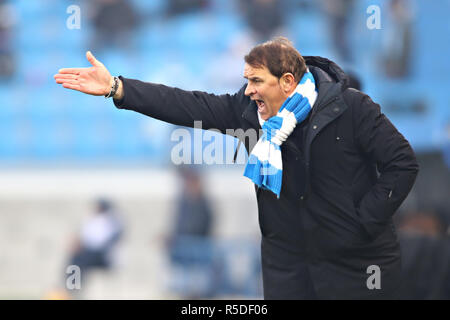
[33, 122]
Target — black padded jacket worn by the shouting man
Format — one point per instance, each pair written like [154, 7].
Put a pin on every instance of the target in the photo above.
[346, 169]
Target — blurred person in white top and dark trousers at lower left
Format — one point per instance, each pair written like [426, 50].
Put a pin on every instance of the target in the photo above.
[95, 247]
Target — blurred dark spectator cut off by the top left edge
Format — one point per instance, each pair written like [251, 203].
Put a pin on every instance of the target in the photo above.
[7, 22]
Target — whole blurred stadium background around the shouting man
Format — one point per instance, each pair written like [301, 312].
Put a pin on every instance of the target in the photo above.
[83, 183]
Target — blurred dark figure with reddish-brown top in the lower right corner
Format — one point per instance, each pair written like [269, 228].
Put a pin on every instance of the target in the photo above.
[425, 257]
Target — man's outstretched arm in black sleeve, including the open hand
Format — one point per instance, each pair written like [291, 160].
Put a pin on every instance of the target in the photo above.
[165, 103]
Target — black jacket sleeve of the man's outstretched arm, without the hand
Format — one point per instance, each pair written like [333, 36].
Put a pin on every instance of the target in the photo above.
[182, 107]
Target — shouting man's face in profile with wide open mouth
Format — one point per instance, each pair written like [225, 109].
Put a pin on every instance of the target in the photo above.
[264, 88]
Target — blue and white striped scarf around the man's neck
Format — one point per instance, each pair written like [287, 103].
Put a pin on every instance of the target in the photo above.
[265, 166]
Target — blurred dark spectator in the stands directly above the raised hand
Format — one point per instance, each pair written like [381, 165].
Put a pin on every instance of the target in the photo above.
[114, 22]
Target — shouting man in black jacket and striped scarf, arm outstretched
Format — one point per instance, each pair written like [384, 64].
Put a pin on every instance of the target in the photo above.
[327, 229]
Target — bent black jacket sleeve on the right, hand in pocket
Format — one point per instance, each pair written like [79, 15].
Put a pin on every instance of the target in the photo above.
[382, 144]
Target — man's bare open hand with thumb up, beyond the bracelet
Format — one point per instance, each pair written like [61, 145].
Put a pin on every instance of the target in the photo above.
[95, 80]
